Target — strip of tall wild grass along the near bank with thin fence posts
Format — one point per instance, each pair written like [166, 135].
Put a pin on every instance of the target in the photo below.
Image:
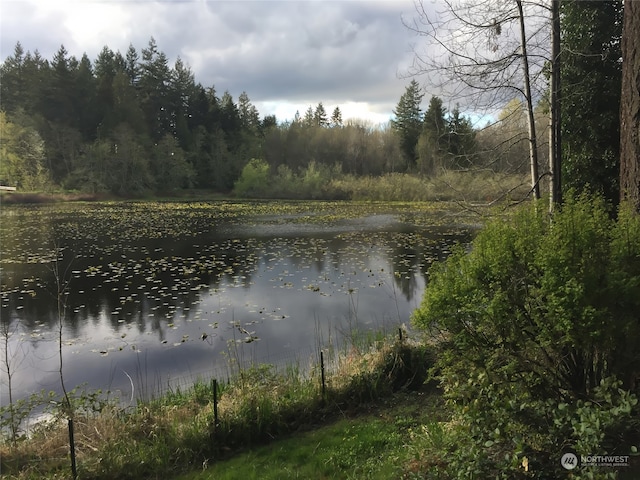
[174, 433]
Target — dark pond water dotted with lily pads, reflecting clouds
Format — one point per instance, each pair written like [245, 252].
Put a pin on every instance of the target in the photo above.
[141, 295]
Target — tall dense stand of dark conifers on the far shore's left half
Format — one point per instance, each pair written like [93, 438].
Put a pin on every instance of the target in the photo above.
[122, 123]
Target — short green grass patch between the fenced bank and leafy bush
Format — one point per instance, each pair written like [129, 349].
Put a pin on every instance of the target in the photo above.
[370, 443]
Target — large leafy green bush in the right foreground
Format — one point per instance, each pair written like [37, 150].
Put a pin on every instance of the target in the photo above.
[539, 344]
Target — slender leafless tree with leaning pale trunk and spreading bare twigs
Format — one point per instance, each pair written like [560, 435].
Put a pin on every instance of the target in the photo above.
[481, 53]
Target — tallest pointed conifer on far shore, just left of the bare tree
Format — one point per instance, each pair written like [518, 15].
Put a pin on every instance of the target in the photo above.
[408, 121]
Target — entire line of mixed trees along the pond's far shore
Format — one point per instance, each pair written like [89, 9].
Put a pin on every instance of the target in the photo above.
[129, 124]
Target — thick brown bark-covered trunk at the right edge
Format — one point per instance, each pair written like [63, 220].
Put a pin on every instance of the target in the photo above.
[630, 106]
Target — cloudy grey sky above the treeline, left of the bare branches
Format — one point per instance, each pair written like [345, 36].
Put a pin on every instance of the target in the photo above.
[286, 55]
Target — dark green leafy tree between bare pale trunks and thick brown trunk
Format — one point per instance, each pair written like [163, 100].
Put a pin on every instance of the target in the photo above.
[591, 70]
